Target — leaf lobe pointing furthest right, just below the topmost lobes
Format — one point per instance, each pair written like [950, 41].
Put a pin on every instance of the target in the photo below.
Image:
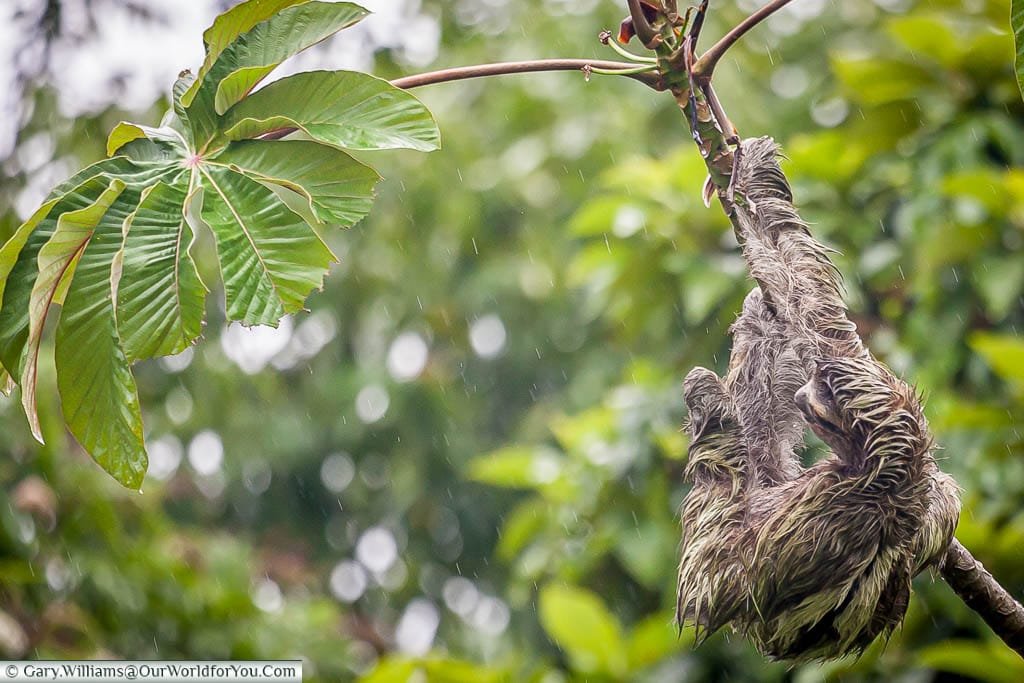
[347, 109]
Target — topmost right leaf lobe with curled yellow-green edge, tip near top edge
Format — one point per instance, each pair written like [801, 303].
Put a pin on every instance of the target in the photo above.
[282, 36]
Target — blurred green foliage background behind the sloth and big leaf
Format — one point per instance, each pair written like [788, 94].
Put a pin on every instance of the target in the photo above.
[465, 463]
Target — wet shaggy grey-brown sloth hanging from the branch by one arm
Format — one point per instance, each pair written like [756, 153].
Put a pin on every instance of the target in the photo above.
[809, 564]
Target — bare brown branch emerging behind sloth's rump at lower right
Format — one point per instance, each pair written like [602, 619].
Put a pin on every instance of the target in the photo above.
[984, 594]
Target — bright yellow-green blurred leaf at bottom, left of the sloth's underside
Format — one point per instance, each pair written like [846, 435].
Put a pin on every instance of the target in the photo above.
[581, 625]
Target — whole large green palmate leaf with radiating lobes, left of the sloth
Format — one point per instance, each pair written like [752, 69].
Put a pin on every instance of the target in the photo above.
[113, 244]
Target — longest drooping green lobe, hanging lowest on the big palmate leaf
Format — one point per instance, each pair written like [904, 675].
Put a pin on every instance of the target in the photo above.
[98, 391]
